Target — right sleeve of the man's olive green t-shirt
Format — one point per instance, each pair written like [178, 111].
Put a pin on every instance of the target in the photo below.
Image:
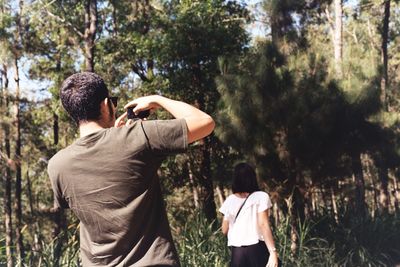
[166, 136]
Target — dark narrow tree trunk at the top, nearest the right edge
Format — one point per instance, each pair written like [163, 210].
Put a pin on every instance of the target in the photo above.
[384, 54]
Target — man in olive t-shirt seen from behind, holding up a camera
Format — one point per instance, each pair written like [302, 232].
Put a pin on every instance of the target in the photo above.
[108, 177]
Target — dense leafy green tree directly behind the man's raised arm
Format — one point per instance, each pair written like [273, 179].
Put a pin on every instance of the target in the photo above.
[195, 35]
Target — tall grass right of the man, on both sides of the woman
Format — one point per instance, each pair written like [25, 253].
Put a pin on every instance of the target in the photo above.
[321, 242]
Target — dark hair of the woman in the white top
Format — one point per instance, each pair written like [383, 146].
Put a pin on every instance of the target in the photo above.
[244, 179]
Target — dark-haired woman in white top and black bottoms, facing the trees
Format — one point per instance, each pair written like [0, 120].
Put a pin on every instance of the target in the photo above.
[246, 222]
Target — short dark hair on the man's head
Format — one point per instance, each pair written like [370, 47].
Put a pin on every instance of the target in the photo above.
[81, 95]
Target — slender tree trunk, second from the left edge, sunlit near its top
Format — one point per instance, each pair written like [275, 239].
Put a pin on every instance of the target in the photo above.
[18, 180]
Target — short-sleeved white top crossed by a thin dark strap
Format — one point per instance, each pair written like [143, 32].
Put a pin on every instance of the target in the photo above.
[244, 231]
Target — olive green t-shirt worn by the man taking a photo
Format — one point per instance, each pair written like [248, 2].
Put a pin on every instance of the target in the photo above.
[109, 180]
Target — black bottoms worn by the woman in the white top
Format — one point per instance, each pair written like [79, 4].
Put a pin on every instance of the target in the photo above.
[250, 256]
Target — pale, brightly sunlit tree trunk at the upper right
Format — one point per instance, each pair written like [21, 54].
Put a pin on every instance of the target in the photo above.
[337, 38]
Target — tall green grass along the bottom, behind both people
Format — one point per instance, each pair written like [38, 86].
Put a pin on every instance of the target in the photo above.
[355, 242]
